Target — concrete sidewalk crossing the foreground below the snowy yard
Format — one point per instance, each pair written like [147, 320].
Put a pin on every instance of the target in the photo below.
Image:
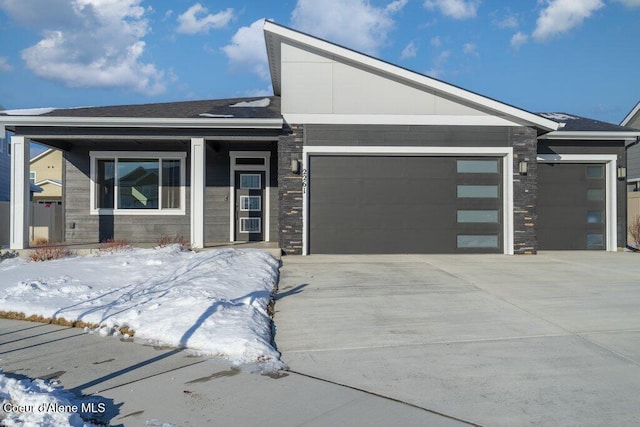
[146, 385]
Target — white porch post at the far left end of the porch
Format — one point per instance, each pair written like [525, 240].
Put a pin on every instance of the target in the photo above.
[20, 201]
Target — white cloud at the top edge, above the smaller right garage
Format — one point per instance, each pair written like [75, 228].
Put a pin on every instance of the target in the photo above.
[560, 16]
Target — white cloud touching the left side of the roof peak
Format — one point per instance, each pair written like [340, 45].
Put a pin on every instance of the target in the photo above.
[247, 50]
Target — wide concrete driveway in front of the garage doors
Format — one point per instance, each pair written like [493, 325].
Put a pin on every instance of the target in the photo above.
[552, 339]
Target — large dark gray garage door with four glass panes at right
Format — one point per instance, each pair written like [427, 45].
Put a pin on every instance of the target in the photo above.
[397, 204]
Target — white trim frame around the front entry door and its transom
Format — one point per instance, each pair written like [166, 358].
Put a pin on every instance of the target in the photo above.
[266, 168]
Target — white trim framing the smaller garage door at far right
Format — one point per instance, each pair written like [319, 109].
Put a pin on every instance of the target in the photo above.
[610, 160]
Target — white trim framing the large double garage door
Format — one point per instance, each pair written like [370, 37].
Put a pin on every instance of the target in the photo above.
[507, 172]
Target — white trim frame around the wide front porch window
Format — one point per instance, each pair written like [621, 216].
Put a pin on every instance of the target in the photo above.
[154, 155]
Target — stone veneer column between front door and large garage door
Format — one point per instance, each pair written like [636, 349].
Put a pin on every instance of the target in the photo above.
[290, 191]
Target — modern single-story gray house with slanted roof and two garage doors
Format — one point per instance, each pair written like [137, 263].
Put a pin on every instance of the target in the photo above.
[351, 155]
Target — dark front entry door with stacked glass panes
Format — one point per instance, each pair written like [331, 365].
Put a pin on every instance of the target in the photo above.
[249, 207]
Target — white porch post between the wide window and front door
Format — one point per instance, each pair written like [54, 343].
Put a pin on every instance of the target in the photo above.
[198, 159]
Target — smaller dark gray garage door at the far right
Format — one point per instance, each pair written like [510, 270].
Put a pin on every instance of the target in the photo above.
[571, 206]
